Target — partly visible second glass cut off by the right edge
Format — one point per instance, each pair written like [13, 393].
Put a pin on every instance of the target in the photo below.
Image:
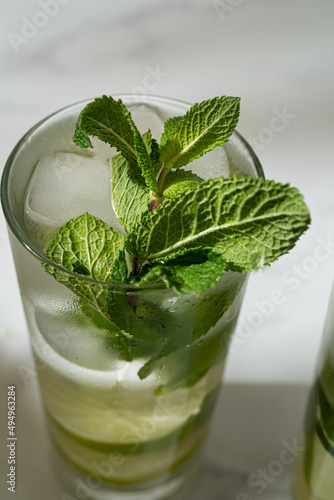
[314, 471]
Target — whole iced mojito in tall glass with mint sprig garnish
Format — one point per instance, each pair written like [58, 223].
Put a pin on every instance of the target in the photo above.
[132, 269]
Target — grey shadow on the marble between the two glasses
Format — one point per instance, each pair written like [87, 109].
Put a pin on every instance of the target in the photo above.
[251, 428]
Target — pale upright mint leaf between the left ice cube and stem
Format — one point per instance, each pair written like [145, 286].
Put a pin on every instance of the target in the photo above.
[130, 198]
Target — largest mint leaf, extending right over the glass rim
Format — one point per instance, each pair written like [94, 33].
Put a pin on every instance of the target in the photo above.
[251, 222]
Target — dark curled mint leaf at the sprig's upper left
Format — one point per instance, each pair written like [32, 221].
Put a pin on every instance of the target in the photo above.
[111, 122]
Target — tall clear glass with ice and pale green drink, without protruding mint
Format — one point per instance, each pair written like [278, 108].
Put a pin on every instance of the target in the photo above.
[122, 426]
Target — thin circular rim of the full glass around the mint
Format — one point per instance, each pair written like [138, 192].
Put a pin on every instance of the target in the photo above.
[28, 244]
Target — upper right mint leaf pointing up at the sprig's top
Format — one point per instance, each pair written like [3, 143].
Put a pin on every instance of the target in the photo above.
[201, 129]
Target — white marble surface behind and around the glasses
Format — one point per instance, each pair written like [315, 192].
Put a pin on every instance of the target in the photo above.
[278, 56]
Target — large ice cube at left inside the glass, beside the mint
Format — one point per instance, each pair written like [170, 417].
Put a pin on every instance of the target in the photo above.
[64, 186]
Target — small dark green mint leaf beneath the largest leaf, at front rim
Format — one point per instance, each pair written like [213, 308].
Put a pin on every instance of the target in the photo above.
[193, 271]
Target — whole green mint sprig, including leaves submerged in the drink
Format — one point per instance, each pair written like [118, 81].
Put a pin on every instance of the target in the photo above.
[182, 235]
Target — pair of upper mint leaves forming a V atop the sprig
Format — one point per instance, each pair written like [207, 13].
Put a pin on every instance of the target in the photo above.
[204, 127]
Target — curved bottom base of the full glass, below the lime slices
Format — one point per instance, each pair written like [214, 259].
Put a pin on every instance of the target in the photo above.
[175, 485]
